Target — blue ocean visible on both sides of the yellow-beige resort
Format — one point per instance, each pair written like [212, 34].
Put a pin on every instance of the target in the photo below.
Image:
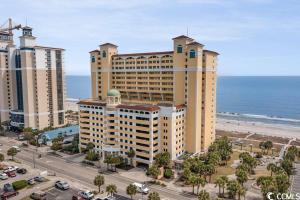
[266, 99]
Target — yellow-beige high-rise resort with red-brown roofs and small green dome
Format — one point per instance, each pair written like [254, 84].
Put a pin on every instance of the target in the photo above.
[151, 102]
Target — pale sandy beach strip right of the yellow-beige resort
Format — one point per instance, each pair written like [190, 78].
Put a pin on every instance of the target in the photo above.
[279, 130]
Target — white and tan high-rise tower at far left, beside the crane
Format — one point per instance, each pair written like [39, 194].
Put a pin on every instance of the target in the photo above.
[31, 82]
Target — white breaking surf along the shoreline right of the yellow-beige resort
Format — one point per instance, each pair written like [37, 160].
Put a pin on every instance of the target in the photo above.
[254, 116]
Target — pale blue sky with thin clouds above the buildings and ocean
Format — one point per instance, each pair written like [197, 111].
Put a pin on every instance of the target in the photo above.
[253, 37]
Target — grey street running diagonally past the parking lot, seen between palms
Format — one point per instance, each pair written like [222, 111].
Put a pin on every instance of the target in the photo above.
[84, 175]
